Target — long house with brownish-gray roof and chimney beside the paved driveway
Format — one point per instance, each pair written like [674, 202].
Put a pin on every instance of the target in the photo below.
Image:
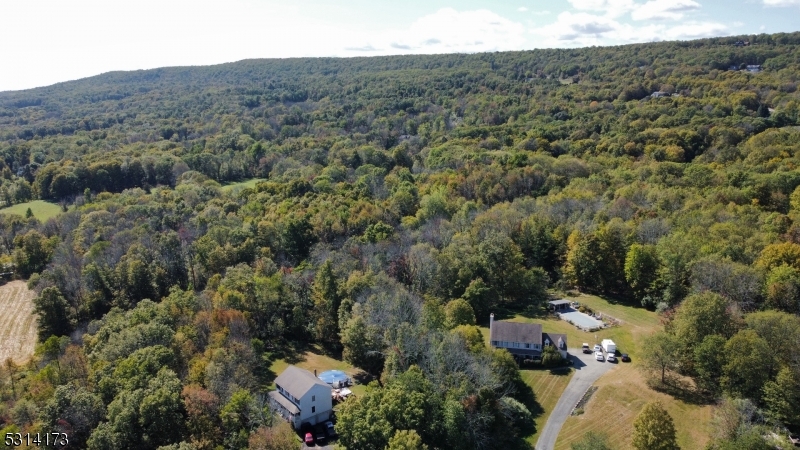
[524, 340]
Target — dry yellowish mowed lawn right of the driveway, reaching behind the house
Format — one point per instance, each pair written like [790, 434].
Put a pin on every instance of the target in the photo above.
[622, 393]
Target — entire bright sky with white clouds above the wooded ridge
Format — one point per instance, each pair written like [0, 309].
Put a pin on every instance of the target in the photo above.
[43, 42]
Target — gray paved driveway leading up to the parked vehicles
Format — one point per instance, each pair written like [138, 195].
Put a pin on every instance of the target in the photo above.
[587, 371]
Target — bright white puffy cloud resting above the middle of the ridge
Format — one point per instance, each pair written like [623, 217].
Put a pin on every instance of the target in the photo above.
[449, 31]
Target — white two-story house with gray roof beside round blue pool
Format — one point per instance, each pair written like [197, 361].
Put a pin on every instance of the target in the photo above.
[300, 397]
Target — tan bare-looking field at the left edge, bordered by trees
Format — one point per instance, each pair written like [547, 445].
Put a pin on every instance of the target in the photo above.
[17, 322]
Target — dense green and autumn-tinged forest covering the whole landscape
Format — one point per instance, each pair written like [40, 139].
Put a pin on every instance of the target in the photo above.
[402, 200]
